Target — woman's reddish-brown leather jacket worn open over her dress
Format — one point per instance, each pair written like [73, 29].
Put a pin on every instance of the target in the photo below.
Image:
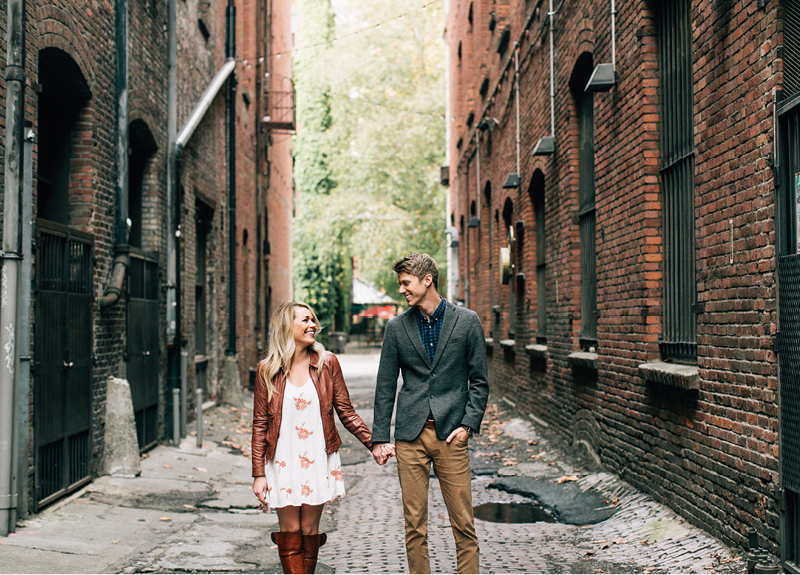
[332, 393]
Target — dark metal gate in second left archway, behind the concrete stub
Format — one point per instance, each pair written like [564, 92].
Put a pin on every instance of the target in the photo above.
[143, 345]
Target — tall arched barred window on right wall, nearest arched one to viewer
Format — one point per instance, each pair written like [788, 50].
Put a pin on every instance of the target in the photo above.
[584, 102]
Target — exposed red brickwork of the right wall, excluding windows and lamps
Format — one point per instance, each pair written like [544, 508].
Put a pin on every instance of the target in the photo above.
[712, 453]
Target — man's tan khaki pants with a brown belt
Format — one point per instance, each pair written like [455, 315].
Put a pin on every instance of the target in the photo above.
[451, 464]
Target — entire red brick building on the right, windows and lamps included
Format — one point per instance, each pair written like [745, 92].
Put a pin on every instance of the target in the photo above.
[633, 271]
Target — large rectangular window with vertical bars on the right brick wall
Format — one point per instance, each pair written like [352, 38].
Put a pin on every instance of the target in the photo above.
[679, 340]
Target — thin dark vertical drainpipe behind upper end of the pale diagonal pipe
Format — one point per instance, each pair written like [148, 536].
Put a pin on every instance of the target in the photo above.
[230, 57]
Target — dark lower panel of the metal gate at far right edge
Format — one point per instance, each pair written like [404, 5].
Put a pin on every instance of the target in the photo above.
[789, 361]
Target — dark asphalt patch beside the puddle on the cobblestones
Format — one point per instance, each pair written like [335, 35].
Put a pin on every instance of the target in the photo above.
[565, 501]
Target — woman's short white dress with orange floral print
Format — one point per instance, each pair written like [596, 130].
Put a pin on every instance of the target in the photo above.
[301, 472]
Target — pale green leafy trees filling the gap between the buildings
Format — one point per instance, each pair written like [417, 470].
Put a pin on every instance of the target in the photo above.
[370, 142]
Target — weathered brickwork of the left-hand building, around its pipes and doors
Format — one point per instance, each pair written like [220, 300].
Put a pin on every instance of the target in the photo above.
[85, 34]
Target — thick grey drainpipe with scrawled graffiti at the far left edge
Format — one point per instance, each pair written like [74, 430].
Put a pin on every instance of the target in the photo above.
[12, 255]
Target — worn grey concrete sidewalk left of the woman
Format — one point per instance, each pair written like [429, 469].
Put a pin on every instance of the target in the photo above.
[191, 509]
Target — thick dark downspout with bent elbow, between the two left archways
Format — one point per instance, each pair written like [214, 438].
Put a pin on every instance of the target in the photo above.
[113, 289]
